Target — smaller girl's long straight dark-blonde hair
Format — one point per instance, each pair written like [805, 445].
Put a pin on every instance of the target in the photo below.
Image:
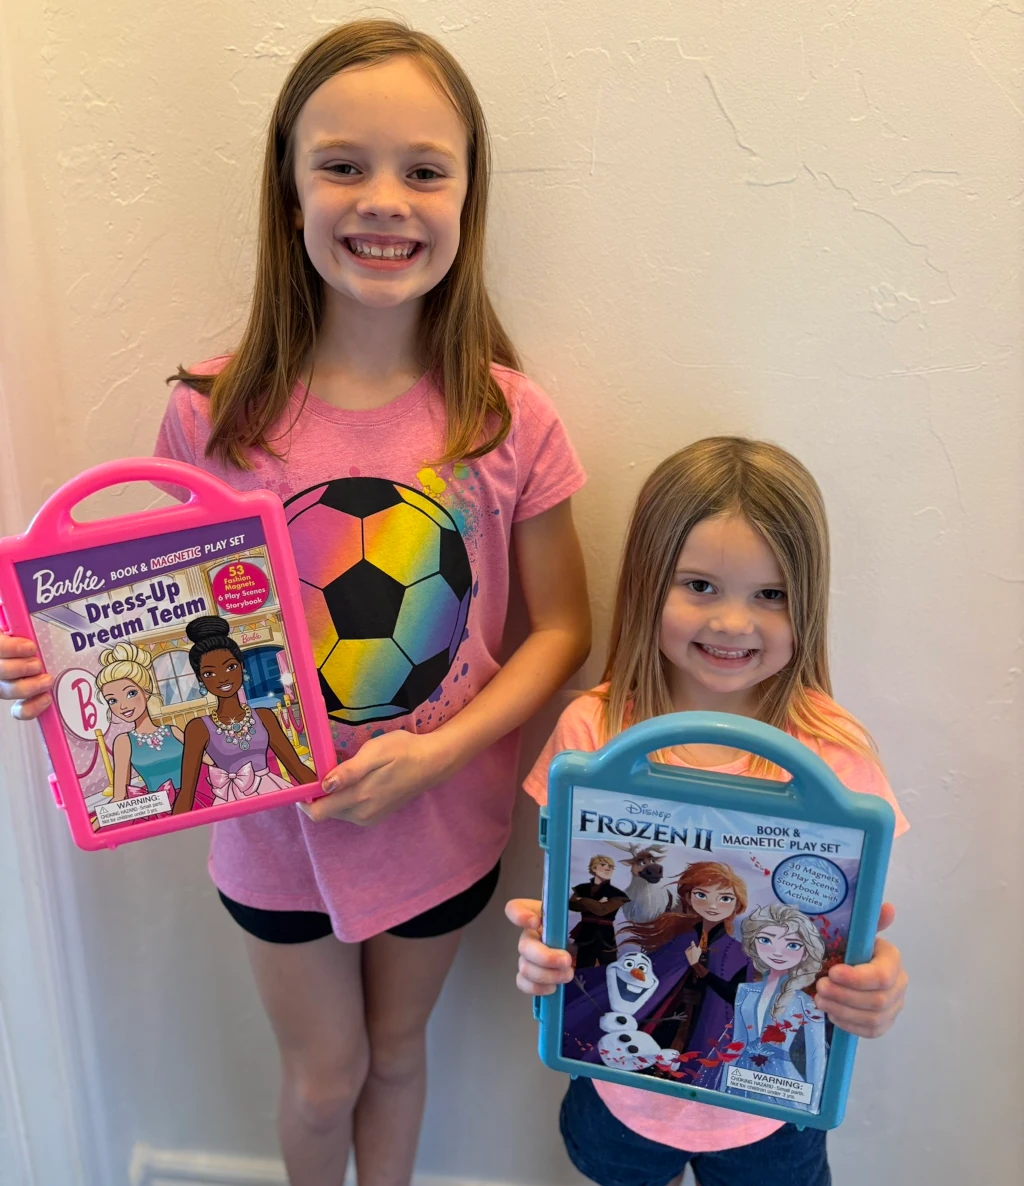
[781, 501]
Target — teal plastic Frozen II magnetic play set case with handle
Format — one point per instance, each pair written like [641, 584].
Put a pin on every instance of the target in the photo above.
[696, 989]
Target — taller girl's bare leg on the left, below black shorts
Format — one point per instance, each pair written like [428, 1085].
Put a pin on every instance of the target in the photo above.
[314, 997]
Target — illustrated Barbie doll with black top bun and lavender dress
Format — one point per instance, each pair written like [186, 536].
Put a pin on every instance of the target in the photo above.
[234, 736]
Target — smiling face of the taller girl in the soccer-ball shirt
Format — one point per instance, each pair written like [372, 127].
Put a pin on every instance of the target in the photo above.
[381, 173]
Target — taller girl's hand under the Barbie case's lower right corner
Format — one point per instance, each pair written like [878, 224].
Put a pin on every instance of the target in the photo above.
[384, 775]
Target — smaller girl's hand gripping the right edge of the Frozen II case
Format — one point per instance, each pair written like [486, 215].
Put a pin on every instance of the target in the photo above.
[866, 999]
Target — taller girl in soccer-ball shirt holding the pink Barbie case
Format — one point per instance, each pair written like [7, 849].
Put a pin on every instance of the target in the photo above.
[376, 386]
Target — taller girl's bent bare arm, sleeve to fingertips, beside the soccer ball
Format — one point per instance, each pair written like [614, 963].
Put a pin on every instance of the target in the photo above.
[390, 770]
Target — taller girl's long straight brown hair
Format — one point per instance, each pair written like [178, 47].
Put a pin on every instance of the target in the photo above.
[460, 334]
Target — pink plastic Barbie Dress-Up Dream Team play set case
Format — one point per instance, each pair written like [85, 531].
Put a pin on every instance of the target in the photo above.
[151, 623]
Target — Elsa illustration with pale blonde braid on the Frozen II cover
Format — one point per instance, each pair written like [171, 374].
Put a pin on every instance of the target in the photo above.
[777, 1021]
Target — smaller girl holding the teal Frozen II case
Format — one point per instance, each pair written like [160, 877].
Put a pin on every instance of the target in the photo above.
[722, 607]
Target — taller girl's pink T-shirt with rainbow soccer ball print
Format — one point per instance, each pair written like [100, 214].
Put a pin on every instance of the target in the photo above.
[371, 879]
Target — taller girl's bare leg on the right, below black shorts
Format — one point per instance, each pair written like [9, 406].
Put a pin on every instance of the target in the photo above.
[402, 983]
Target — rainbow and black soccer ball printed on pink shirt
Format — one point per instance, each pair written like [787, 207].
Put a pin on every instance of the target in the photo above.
[386, 585]
